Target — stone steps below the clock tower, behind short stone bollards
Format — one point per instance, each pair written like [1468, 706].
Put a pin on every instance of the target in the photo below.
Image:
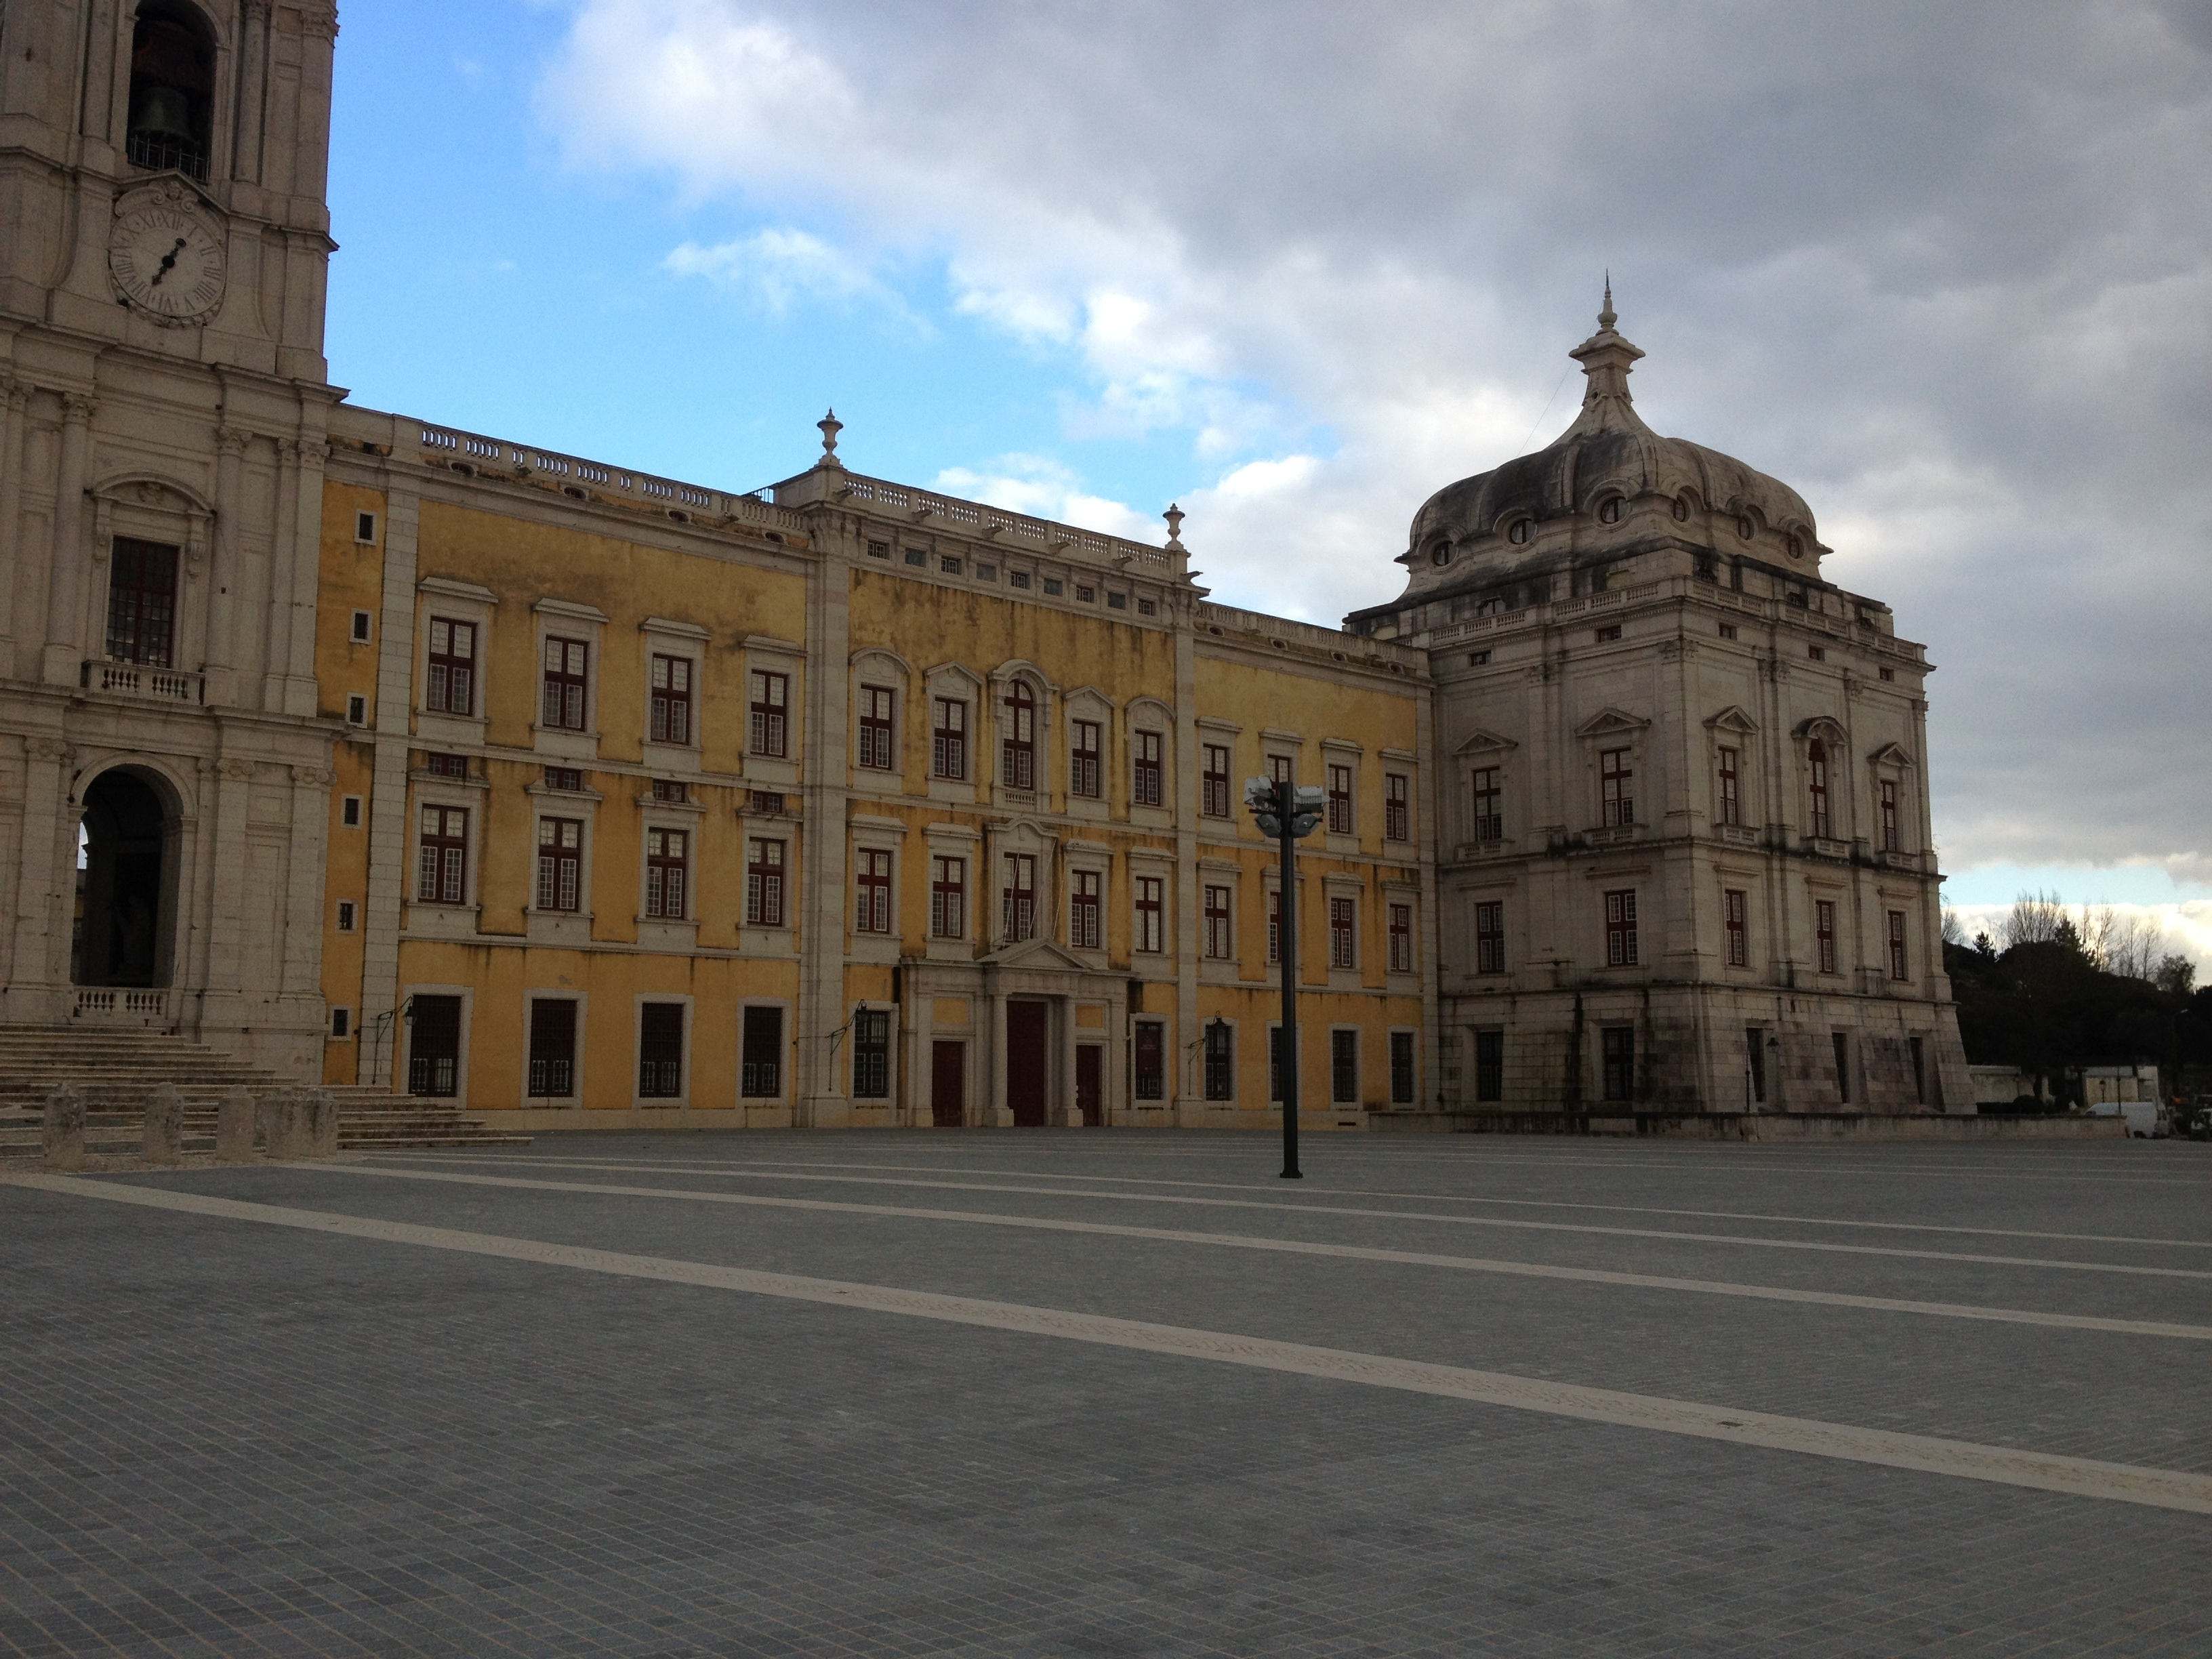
[118, 1070]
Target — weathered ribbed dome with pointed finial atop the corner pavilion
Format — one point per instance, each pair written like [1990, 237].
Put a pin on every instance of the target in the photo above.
[1607, 483]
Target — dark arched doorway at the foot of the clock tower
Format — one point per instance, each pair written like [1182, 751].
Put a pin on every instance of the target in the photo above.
[125, 904]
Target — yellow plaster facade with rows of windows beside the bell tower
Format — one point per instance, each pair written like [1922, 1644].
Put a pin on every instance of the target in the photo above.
[948, 828]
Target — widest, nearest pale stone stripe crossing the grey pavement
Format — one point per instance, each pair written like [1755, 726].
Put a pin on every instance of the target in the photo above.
[1926, 1454]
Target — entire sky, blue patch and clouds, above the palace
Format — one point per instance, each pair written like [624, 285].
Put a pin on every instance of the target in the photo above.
[1948, 271]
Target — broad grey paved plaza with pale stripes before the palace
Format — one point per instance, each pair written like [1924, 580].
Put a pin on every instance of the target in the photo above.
[1087, 1392]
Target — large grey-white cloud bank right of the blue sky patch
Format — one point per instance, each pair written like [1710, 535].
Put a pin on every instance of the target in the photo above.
[1950, 275]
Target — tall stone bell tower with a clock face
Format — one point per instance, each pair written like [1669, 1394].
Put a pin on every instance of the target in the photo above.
[165, 773]
